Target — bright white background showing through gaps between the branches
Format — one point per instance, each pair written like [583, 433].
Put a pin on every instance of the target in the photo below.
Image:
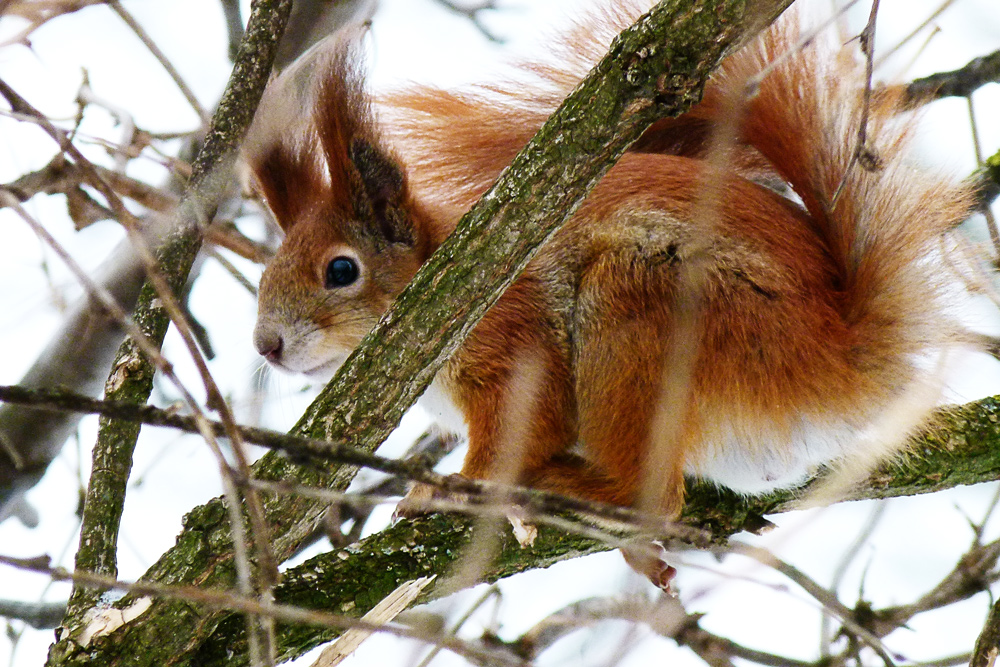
[918, 541]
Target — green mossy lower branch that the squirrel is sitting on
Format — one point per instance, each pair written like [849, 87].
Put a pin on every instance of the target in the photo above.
[350, 581]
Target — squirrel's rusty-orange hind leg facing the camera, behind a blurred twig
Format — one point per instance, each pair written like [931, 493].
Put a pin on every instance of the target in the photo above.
[627, 336]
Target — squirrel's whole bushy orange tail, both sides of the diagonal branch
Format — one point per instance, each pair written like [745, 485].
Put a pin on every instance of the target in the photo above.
[798, 105]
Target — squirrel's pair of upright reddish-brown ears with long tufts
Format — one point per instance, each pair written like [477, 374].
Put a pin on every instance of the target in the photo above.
[352, 173]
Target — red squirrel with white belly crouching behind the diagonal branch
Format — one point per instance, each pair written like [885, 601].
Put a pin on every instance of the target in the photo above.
[802, 323]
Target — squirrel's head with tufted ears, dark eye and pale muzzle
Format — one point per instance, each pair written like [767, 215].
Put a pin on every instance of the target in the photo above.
[352, 240]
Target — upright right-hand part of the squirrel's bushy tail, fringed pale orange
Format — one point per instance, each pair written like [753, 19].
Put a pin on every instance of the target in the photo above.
[882, 220]
